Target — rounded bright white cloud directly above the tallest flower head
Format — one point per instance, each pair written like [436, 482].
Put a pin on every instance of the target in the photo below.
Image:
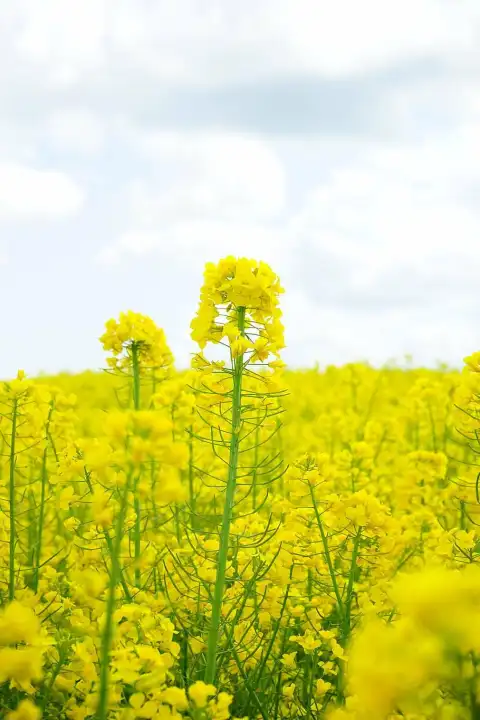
[228, 175]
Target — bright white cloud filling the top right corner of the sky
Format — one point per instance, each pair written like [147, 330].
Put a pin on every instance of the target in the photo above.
[351, 37]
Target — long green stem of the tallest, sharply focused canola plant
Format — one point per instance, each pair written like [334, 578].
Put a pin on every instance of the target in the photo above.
[214, 632]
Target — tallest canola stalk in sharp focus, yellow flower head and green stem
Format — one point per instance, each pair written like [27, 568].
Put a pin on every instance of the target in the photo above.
[239, 310]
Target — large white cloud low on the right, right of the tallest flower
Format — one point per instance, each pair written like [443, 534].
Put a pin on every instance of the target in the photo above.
[389, 254]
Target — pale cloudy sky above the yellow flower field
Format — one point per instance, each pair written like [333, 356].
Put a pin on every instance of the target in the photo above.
[338, 141]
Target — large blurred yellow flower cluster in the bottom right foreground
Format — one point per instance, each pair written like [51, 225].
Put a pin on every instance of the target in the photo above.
[394, 665]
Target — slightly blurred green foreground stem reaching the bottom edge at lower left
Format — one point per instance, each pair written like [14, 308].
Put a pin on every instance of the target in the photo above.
[107, 636]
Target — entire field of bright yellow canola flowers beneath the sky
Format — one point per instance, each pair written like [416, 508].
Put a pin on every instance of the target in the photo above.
[239, 540]
